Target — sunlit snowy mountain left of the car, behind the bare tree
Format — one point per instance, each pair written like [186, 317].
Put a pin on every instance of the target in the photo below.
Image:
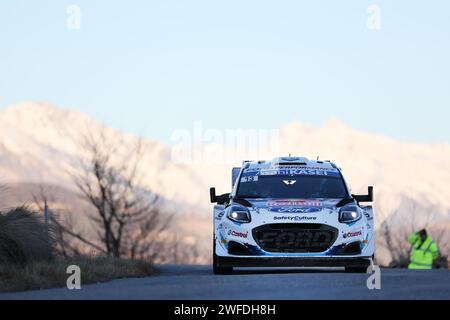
[40, 143]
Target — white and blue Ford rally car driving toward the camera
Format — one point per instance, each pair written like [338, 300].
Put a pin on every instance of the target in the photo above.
[291, 212]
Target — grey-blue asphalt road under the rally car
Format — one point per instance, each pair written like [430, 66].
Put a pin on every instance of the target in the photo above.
[198, 282]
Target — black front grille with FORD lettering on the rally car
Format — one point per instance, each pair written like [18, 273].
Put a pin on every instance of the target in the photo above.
[295, 237]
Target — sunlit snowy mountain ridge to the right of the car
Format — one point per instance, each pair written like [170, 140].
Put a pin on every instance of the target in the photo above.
[412, 178]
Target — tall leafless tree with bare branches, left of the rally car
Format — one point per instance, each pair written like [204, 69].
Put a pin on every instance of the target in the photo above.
[126, 217]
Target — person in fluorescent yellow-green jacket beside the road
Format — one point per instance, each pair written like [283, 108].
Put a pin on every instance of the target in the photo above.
[424, 250]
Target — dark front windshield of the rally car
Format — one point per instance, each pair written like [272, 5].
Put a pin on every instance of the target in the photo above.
[292, 187]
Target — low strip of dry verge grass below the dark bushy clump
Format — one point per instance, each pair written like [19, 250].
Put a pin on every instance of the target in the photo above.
[48, 274]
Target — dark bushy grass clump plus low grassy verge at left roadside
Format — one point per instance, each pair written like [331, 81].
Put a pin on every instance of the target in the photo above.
[28, 260]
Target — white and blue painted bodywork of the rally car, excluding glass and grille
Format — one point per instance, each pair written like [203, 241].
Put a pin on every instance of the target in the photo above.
[292, 211]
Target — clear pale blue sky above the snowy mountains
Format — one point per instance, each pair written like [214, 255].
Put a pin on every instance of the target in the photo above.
[149, 67]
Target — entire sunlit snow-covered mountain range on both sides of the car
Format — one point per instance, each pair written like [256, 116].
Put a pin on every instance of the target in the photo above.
[38, 144]
